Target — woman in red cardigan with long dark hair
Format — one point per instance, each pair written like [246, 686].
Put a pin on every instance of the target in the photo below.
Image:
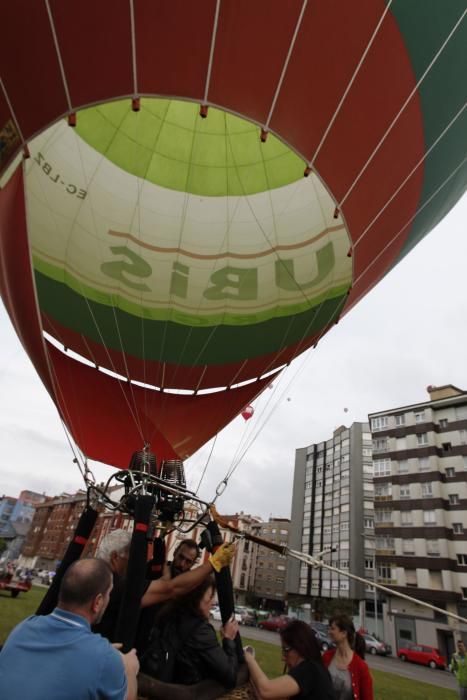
[350, 674]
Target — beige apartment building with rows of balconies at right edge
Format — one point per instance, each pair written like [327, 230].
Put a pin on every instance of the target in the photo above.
[420, 481]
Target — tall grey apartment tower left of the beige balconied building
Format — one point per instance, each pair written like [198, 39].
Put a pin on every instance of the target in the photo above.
[332, 509]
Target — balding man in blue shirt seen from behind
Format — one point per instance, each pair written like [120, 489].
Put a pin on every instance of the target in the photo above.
[57, 656]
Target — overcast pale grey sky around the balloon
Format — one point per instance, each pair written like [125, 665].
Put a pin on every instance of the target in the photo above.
[409, 332]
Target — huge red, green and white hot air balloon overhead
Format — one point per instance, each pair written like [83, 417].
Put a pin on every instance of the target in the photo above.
[192, 194]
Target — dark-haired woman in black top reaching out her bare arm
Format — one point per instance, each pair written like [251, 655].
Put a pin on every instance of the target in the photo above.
[306, 677]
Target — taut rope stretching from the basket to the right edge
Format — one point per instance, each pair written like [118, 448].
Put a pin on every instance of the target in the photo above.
[316, 561]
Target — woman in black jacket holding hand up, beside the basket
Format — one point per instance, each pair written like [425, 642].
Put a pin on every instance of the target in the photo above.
[188, 644]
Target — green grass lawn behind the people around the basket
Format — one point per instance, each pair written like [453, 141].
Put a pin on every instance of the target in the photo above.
[387, 685]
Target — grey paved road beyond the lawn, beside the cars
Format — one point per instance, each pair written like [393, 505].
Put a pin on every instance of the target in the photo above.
[414, 672]
